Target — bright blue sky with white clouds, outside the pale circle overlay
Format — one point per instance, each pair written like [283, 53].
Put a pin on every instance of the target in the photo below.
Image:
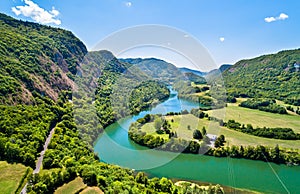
[230, 29]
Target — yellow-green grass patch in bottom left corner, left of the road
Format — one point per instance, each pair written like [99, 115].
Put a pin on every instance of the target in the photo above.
[10, 176]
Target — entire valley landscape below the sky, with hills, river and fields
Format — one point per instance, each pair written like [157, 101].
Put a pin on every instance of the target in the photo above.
[104, 142]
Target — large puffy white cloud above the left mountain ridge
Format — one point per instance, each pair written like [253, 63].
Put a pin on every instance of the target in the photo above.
[38, 14]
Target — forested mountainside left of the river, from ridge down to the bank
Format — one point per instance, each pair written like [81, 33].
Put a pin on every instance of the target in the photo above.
[40, 66]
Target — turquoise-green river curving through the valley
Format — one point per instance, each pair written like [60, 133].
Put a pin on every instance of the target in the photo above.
[114, 147]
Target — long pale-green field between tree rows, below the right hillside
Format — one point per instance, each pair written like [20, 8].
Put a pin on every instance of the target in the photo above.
[257, 118]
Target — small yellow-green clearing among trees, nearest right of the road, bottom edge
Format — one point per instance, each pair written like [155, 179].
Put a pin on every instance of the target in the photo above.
[73, 186]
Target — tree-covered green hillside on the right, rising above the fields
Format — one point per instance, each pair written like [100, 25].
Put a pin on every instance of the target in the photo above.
[274, 76]
